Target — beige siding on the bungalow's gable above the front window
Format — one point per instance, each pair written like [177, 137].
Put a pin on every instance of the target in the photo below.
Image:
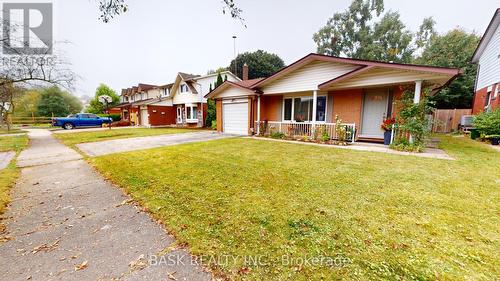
[308, 77]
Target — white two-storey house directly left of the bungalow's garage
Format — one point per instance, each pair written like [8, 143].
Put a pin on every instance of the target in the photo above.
[188, 96]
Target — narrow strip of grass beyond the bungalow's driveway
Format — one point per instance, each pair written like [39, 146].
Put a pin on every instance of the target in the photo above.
[75, 137]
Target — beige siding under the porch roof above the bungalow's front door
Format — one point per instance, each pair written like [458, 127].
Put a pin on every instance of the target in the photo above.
[385, 76]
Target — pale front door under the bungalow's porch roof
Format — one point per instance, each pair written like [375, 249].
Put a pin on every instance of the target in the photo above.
[375, 107]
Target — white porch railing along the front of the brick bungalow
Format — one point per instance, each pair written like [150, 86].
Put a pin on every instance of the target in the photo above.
[300, 129]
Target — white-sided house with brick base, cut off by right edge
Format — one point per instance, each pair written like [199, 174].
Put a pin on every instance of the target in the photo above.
[487, 56]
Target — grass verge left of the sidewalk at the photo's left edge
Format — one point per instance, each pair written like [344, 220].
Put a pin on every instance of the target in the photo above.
[9, 175]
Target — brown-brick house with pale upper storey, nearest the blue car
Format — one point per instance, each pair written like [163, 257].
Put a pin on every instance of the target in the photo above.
[147, 105]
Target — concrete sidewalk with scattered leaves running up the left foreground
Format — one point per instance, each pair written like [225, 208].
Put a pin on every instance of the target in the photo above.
[66, 222]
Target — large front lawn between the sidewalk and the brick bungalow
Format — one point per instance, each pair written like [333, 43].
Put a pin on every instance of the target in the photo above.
[393, 217]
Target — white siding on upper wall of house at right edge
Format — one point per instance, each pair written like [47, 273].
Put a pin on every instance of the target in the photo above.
[489, 62]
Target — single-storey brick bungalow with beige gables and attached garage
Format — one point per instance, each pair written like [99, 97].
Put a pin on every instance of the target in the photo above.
[316, 88]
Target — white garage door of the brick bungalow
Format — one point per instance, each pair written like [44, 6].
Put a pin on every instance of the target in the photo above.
[235, 118]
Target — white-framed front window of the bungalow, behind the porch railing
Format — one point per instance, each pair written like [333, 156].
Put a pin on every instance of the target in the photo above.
[300, 109]
